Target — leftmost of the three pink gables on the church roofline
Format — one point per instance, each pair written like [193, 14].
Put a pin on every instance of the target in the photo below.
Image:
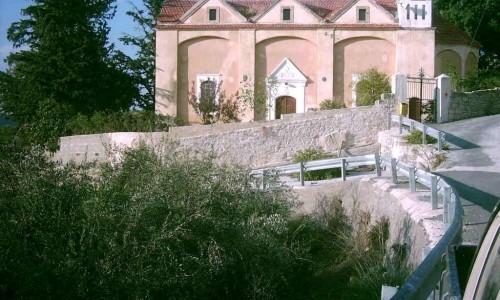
[224, 12]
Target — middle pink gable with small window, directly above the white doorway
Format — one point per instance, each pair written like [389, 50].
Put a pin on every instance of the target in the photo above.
[300, 14]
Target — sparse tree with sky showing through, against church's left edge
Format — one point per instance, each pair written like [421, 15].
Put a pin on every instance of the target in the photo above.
[143, 66]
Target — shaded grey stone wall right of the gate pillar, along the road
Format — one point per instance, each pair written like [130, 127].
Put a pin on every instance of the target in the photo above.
[473, 104]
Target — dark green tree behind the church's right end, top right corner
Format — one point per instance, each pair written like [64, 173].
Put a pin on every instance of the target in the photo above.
[481, 20]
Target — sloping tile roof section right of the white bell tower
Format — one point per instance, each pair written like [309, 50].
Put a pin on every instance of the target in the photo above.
[448, 33]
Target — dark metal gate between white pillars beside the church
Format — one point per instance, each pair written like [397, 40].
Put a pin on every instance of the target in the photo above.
[421, 93]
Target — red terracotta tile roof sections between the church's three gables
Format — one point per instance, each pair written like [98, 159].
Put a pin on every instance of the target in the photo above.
[174, 9]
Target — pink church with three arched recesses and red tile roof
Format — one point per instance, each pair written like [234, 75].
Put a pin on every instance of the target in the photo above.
[311, 50]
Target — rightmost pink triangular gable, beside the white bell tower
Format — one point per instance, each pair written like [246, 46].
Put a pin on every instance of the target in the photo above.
[374, 13]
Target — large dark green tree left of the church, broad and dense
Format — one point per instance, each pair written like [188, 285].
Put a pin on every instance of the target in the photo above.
[68, 63]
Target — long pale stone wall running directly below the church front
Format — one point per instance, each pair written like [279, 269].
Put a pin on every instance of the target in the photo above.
[249, 144]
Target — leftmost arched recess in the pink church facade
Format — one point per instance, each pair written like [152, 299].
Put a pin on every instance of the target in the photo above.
[204, 55]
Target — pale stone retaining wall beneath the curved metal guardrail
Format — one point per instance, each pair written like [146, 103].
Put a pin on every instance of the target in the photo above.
[414, 226]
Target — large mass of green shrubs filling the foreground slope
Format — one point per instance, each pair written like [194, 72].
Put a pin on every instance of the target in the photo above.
[172, 226]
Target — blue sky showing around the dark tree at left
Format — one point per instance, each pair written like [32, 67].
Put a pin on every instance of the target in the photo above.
[10, 11]
